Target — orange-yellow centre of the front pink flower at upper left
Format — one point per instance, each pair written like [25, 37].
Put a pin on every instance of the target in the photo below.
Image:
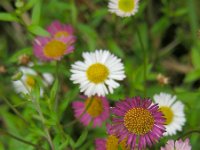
[54, 49]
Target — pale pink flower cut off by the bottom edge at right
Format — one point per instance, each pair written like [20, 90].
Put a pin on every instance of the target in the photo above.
[177, 145]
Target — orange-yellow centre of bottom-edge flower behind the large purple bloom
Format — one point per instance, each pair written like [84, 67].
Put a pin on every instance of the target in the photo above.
[112, 143]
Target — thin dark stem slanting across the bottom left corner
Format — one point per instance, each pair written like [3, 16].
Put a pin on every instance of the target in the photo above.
[2, 132]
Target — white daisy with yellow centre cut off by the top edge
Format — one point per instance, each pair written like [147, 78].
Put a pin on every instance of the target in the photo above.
[123, 8]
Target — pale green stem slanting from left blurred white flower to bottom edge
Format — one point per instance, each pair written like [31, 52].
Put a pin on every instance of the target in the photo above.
[38, 109]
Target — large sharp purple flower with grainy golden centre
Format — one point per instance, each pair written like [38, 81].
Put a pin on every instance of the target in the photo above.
[139, 121]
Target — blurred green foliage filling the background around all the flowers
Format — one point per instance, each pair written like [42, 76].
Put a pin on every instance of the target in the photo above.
[168, 29]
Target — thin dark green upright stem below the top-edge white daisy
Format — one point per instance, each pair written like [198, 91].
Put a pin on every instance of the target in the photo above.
[145, 59]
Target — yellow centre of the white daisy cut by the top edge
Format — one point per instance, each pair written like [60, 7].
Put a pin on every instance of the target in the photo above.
[126, 5]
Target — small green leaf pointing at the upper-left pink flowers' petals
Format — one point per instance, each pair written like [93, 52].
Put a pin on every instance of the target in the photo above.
[35, 29]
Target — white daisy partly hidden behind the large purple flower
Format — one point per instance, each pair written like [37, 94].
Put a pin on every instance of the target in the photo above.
[173, 111]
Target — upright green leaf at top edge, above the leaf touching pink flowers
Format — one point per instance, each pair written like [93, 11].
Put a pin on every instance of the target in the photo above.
[36, 13]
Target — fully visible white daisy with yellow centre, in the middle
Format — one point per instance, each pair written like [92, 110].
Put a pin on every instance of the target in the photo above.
[97, 73]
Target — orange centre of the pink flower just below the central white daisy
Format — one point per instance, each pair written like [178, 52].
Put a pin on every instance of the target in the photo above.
[96, 106]
